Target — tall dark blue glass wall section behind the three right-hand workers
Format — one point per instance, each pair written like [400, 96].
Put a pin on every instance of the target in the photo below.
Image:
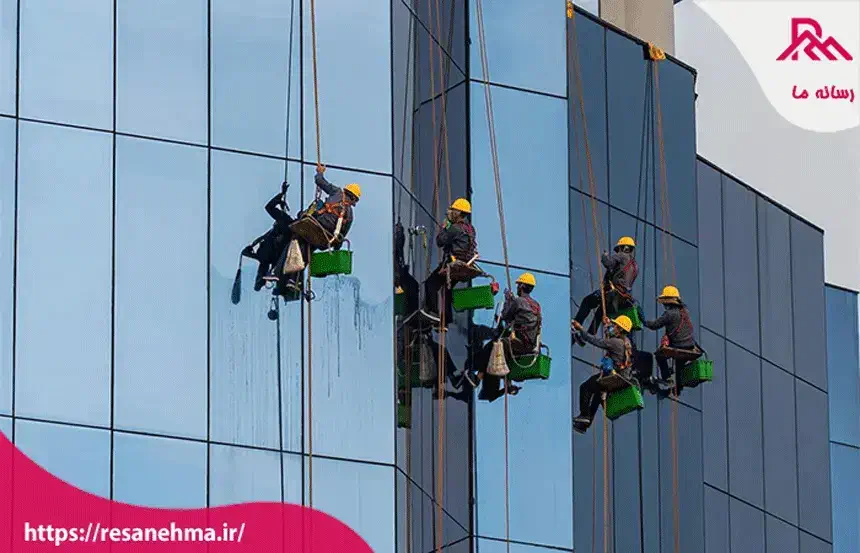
[632, 172]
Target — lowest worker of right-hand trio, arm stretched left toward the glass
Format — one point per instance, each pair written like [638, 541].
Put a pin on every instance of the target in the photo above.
[618, 358]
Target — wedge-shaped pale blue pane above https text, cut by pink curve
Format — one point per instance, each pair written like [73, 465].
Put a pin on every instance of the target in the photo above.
[79, 456]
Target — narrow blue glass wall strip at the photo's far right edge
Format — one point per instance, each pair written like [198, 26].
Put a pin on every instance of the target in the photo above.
[843, 374]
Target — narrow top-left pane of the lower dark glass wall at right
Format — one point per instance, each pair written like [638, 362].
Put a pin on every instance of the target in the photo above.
[710, 242]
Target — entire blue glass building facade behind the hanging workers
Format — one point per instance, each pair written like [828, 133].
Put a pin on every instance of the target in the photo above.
[139, 142]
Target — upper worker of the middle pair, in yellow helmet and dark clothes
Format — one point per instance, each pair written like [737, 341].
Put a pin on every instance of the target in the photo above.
[459, 243]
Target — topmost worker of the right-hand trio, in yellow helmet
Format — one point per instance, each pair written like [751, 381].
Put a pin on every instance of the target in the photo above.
[621, 273]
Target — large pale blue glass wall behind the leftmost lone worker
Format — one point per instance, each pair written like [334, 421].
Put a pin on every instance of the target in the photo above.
[139, 143]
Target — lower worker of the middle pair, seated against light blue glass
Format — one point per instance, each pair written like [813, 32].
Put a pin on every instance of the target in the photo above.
[520, 328]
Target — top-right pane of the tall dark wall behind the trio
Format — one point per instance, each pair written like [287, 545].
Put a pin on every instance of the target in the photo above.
[678, 111]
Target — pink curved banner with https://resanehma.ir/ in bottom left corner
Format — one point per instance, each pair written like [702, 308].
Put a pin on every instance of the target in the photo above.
[31, 497]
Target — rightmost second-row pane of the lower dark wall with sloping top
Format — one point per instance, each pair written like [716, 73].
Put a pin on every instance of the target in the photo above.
[813, 458]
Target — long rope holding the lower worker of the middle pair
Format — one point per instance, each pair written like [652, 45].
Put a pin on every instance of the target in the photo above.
[491, 127]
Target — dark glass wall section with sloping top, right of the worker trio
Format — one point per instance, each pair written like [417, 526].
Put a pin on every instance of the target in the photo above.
[765, 416]
